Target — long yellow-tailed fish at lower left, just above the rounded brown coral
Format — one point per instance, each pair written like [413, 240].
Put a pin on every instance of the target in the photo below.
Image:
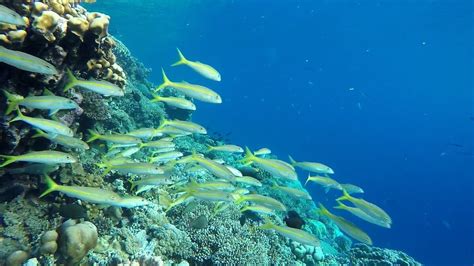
[93, 195]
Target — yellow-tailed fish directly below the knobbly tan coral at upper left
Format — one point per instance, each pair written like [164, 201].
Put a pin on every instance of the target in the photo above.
[98, 86]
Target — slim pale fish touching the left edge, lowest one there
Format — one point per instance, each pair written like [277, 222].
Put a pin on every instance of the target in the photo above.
[44, 157]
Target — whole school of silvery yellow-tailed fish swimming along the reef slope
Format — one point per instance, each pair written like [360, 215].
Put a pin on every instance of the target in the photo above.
[229, 185]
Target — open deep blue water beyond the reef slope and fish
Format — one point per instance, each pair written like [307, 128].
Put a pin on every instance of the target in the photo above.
[382, 91]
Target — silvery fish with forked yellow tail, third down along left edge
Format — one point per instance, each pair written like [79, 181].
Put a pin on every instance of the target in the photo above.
[51, 103]
